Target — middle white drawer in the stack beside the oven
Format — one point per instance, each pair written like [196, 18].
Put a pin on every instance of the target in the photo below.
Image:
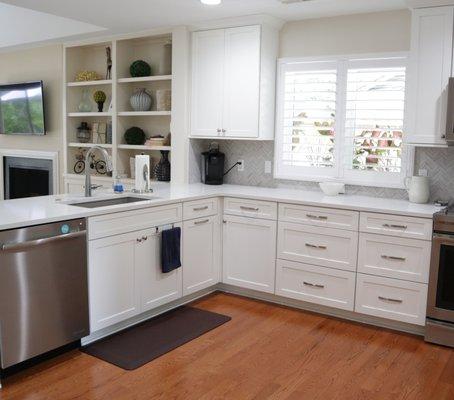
[407, 259]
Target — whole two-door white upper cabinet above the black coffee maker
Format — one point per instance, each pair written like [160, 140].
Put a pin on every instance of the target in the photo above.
[233, 80]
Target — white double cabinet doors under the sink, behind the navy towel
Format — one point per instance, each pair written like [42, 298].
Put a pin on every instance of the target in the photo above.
[125, 277]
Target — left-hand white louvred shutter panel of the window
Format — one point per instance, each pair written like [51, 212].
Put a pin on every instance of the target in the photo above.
[308, 116]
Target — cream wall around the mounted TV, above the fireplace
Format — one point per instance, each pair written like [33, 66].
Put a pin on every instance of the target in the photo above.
[42, 63]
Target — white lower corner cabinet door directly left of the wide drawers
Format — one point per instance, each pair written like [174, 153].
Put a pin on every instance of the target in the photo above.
[249, 253]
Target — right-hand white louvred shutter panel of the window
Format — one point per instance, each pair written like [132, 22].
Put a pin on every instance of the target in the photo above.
[374, 117]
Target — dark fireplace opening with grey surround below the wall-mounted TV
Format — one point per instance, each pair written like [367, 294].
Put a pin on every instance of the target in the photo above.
[27, 177]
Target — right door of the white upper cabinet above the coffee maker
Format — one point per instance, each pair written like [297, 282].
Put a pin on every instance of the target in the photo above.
[242, 82]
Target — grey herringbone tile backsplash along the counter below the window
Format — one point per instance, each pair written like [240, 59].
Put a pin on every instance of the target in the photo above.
[438, 162]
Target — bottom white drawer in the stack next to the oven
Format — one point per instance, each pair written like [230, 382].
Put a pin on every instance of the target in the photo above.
[391, 298]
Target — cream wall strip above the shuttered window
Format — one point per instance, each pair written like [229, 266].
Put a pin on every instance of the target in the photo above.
[351, 34]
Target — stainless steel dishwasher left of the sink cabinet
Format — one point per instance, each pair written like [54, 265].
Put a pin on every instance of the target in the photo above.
[43, 289]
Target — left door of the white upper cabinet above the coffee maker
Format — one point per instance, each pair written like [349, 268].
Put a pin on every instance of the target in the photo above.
[207, 82]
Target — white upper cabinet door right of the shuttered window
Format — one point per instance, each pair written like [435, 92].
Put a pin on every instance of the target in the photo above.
[428, 75]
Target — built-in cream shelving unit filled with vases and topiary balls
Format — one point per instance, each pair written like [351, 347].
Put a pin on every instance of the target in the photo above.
[141, 64]
